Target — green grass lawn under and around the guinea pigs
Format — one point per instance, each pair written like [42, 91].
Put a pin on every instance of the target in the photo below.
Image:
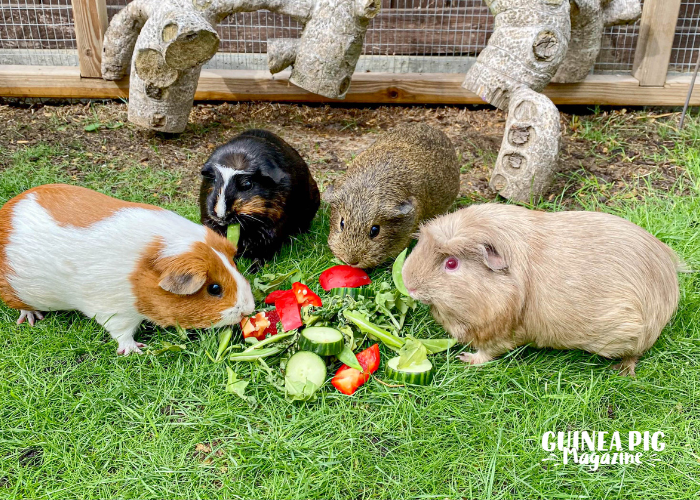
[77, 421]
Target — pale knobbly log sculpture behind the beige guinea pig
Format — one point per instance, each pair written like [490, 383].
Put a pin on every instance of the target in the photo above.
[535, 42]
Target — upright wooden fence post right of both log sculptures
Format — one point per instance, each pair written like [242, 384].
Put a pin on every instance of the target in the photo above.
[656, 32]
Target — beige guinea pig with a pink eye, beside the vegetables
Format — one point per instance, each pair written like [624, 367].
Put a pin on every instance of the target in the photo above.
[501, 276]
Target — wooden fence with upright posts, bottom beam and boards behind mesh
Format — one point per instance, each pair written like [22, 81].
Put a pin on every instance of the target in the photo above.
[648, 83]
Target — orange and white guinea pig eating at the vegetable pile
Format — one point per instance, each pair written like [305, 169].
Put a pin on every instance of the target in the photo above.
[69, 248]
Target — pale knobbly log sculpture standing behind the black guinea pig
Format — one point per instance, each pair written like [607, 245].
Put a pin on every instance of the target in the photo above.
[165, 43]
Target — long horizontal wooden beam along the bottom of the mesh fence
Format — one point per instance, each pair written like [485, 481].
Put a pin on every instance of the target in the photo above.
[396, 88]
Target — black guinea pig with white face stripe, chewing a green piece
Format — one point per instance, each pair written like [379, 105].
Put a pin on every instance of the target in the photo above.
[260, 182]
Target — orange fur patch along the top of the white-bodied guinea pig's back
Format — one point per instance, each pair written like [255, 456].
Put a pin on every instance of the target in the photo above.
[78, 206]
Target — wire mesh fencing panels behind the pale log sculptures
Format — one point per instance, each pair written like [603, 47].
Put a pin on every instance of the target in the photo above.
[407, 36]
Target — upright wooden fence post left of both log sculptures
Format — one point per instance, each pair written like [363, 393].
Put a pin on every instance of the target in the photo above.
[90, 17]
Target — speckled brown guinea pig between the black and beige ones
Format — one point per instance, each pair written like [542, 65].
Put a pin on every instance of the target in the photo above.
[407, 176]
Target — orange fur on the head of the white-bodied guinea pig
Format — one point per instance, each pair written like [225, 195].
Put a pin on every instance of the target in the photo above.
[199, 310]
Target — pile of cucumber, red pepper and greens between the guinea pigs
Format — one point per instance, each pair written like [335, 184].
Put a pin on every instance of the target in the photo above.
[306, 334]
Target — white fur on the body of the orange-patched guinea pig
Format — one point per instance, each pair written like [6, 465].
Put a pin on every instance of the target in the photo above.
[87, 268]
